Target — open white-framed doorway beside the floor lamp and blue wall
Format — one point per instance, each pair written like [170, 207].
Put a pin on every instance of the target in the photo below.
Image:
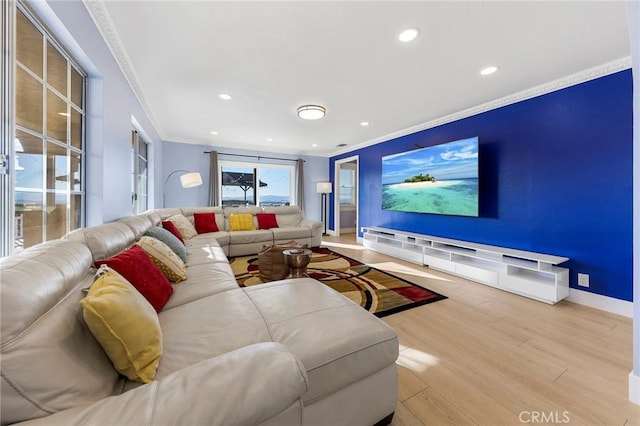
[345, 218]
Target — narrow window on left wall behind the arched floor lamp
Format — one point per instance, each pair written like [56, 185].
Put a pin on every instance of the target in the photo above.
[139, 174]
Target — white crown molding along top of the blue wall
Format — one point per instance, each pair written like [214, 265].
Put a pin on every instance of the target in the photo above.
[552, 86]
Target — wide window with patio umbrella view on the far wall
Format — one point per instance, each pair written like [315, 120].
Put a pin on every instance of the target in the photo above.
[244, 183]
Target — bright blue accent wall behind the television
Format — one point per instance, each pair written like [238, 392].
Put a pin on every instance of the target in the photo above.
[555, 177]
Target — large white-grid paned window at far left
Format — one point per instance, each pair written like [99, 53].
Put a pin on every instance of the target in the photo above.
[48, 142]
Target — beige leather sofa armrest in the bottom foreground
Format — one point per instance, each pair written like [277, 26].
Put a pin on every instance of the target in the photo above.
[246, 386]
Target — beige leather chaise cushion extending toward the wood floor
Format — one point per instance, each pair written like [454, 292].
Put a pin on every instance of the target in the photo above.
[351, 343]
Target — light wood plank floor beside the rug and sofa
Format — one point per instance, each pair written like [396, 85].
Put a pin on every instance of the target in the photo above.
[488, 357]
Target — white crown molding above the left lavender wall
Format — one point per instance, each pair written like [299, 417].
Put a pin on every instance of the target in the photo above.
[100, 15]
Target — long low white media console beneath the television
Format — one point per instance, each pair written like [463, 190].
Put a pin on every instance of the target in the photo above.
[528, 274]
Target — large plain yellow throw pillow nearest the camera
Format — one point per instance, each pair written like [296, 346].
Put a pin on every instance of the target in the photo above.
[125, 324]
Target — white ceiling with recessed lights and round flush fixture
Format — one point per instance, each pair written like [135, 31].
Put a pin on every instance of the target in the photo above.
[273, 57]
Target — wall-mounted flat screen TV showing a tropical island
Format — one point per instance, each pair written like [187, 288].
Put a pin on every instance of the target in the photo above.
[439, 179]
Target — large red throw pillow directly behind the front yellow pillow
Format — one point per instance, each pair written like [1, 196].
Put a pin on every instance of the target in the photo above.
[137, 268]
